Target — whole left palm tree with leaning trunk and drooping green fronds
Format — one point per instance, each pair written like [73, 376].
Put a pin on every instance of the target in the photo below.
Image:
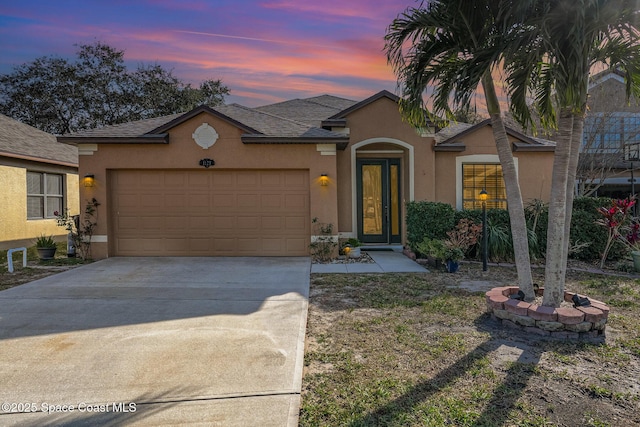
[456, 45]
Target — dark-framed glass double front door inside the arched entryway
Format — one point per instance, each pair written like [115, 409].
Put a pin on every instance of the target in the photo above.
[379, 200]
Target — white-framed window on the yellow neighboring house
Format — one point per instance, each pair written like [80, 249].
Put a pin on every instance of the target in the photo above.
[45, 194]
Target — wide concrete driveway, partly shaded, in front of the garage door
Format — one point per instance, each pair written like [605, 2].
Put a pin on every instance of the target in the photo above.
[156, 341]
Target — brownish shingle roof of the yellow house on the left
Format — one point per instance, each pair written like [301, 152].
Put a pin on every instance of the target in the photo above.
[19, 140]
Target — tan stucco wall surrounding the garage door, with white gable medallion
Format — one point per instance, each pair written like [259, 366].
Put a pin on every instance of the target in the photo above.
[228, 153]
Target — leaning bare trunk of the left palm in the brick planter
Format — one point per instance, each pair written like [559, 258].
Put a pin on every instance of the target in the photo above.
[514, 197]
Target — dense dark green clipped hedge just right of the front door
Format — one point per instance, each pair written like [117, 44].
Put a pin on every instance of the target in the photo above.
[428, 219]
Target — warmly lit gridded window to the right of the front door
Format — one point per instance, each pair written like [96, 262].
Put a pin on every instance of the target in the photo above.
[475, 178]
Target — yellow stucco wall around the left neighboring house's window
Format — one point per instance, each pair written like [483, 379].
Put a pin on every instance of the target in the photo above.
[15, 229]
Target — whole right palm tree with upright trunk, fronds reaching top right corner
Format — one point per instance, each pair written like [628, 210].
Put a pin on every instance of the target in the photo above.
[561, 41]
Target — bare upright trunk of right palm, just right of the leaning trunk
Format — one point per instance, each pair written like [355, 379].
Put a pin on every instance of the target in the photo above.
[556, 243]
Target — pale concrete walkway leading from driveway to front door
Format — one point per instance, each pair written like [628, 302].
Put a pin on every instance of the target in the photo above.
[385, 262]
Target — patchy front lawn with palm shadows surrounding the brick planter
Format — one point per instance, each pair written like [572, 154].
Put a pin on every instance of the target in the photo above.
[419, 349]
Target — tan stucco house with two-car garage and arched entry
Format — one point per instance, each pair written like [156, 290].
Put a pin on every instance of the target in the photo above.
[232, 180]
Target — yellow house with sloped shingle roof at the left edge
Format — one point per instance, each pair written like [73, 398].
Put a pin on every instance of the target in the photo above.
[38, 175]
